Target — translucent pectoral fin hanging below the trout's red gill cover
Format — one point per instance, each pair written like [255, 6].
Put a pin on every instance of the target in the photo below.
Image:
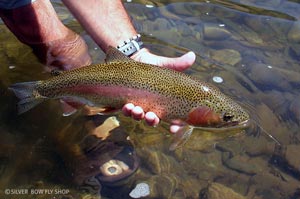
[181, 137]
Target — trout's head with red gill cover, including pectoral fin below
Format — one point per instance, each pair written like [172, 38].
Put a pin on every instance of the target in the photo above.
[212, 115]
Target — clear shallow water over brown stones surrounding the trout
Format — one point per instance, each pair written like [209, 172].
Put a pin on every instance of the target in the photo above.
[253, 46]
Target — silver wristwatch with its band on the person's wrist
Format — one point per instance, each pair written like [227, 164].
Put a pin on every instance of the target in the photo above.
[131, 46]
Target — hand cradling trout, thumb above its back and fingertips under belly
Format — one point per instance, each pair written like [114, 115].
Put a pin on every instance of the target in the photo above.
[178, 63]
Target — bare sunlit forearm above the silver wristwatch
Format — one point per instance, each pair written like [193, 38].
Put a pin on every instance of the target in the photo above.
[105, 20]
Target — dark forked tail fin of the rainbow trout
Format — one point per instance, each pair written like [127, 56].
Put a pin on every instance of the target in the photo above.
[25, 91]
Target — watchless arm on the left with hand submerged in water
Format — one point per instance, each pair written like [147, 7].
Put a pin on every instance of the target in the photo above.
[37, 25]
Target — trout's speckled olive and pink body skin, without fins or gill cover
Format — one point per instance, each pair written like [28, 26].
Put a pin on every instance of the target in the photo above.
[170, 94]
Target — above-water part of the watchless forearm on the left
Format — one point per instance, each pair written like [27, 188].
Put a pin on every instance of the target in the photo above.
[31, 24]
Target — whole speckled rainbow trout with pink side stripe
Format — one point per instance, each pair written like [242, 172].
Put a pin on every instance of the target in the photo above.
[171, 95]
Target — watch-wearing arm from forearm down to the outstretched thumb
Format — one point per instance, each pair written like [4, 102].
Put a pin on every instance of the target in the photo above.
[108, 24]
